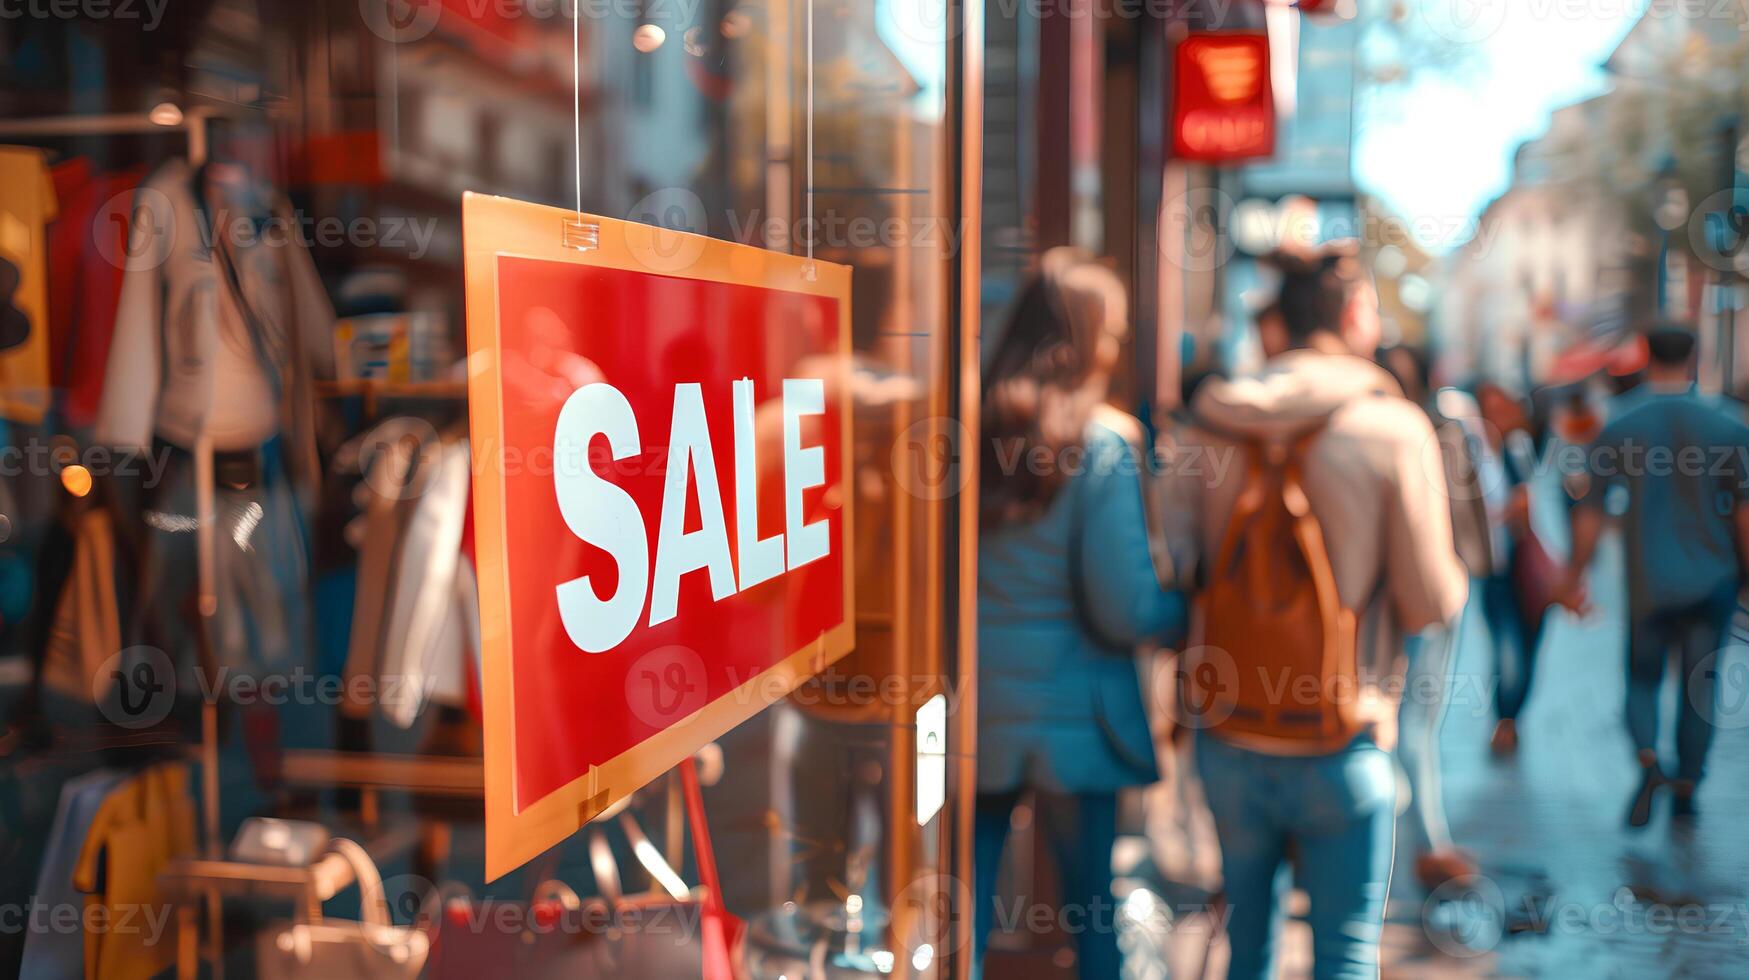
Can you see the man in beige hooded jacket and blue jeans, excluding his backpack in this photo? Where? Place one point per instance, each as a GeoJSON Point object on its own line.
{"type": "Point", "coordinates": [1376, 486]}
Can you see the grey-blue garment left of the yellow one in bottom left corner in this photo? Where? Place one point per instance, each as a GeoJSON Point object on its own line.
{"type": "Point", "coordinates": [55, 955]}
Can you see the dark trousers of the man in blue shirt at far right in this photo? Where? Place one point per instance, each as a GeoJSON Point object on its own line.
{"type": "Point", "coordinates": [1696, 634]}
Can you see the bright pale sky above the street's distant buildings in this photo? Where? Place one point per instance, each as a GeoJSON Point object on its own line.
{"type": "Point", "coordinates": [1444, 148]}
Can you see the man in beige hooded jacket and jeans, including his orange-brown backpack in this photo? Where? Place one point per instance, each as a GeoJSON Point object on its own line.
{"type": "Point", "coordinates": [1330, 515]}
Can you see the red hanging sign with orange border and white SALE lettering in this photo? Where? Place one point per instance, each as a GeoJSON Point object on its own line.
{"type": "Point", "coordinates": [662, 496]}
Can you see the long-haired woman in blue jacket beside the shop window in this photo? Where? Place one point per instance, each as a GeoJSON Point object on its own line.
{"type": "Point", "coordinates": [1066, 592]}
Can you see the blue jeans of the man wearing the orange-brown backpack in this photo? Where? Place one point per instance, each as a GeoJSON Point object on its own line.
{"type": "Point", "coordinates": [1339, 811]}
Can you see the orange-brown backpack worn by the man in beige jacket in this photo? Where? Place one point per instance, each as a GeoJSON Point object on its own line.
{"type": "Point", "coordinates": [1279, 666]}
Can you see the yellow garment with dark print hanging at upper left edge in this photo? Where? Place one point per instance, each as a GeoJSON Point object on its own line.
{"type": "Point", "coordinates": [27, 207]}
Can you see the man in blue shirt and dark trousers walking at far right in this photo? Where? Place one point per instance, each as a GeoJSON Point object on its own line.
{"type": "Point", "coordinates": [1685, 536]}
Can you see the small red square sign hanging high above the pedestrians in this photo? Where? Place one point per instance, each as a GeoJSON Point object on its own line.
{"type": "Point", "coordinates": [1223, 108]}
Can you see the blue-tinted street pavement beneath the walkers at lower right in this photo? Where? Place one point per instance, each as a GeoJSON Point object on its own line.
{"type": "Point", "coordinates": [1566, 888]}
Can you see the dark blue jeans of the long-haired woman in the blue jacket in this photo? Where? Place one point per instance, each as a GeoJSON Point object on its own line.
{"type": "Point", "coordinates": [1082, 832]}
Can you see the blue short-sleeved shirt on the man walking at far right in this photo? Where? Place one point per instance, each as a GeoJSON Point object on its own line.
{"type": "Point", "coordinates": [1683, 459]}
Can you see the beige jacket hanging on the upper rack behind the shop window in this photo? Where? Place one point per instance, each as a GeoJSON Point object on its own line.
{"type": "Point", "coordinates": [223, 323]}
